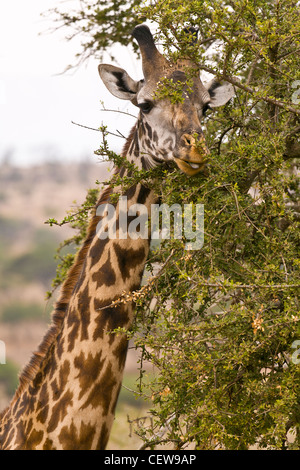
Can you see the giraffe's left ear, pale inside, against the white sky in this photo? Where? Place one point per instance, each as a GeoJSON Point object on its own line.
{"type": "Point", "coordinates": [118, 82]}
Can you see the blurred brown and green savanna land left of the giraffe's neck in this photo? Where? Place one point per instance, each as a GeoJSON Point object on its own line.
{"type": "Point", "coordinates": [28, 197]}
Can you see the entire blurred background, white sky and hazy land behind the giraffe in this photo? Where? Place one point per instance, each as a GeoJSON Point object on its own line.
{"type": "Point", "coordinates": [47, 163]}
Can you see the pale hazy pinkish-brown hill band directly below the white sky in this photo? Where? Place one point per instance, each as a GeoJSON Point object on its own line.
{"type": "Point", "coordinates": [38, 192]}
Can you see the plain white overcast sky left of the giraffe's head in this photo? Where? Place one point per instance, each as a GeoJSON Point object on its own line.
{"type": "Point", "coordinates": [38, 102]}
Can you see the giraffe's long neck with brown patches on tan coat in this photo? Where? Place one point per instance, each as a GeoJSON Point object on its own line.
{"type": "Point", "coordinates": [68, 393]}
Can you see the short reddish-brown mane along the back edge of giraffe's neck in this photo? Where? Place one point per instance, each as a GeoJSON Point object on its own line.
{"type": "Point", "coordinates": [30, 371]}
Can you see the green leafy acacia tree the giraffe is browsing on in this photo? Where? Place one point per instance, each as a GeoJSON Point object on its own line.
{"type": "Point", "coordinates": [221, 324]}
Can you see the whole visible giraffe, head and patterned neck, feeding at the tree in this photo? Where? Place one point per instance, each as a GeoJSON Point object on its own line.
{"type": "Point", "coordinates": [68, 392]}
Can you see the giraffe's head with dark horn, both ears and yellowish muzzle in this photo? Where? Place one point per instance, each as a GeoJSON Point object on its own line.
{"type": "Point", "coordinates": [168, 131]}
